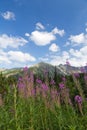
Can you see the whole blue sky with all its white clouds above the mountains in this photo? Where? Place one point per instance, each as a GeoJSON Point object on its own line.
{"type": "Point", "coordinates": [51, 31]}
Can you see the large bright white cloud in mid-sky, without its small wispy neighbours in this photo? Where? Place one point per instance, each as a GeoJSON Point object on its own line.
{"type": "Point", "coordinates": [42, 38]}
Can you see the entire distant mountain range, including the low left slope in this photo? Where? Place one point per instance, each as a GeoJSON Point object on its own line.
{"type": "Point", "coordinates": [43, 67]}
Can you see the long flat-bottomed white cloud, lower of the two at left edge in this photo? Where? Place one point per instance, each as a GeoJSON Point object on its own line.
{"type": "Point", "coordinates": [15, 58]}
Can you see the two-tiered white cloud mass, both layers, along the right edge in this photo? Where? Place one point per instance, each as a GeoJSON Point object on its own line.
{"type": "Point", "coordinates": [76, 57]}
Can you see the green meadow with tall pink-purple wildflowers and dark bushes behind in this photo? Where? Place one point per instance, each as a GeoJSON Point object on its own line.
{"type": "Point", "coordinates": [36, 103]}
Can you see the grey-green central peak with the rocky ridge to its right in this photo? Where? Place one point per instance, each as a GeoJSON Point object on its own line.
{"type": "Point", "coordinates": [60, 69]}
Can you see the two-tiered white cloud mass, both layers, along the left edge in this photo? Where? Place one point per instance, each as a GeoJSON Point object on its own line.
{"type": "Point", "coordinates": [13, 58]}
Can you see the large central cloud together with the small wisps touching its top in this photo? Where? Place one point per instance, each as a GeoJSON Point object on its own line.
{"type": "Point", "coordinates": [42, 37]}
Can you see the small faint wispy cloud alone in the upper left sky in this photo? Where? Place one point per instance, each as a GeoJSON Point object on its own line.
{"type": "Point", "coordinates": [8, 15]}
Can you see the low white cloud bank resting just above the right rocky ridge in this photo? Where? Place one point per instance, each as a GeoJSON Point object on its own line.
{"type": "Point", "coordinates": [74, 56]}
